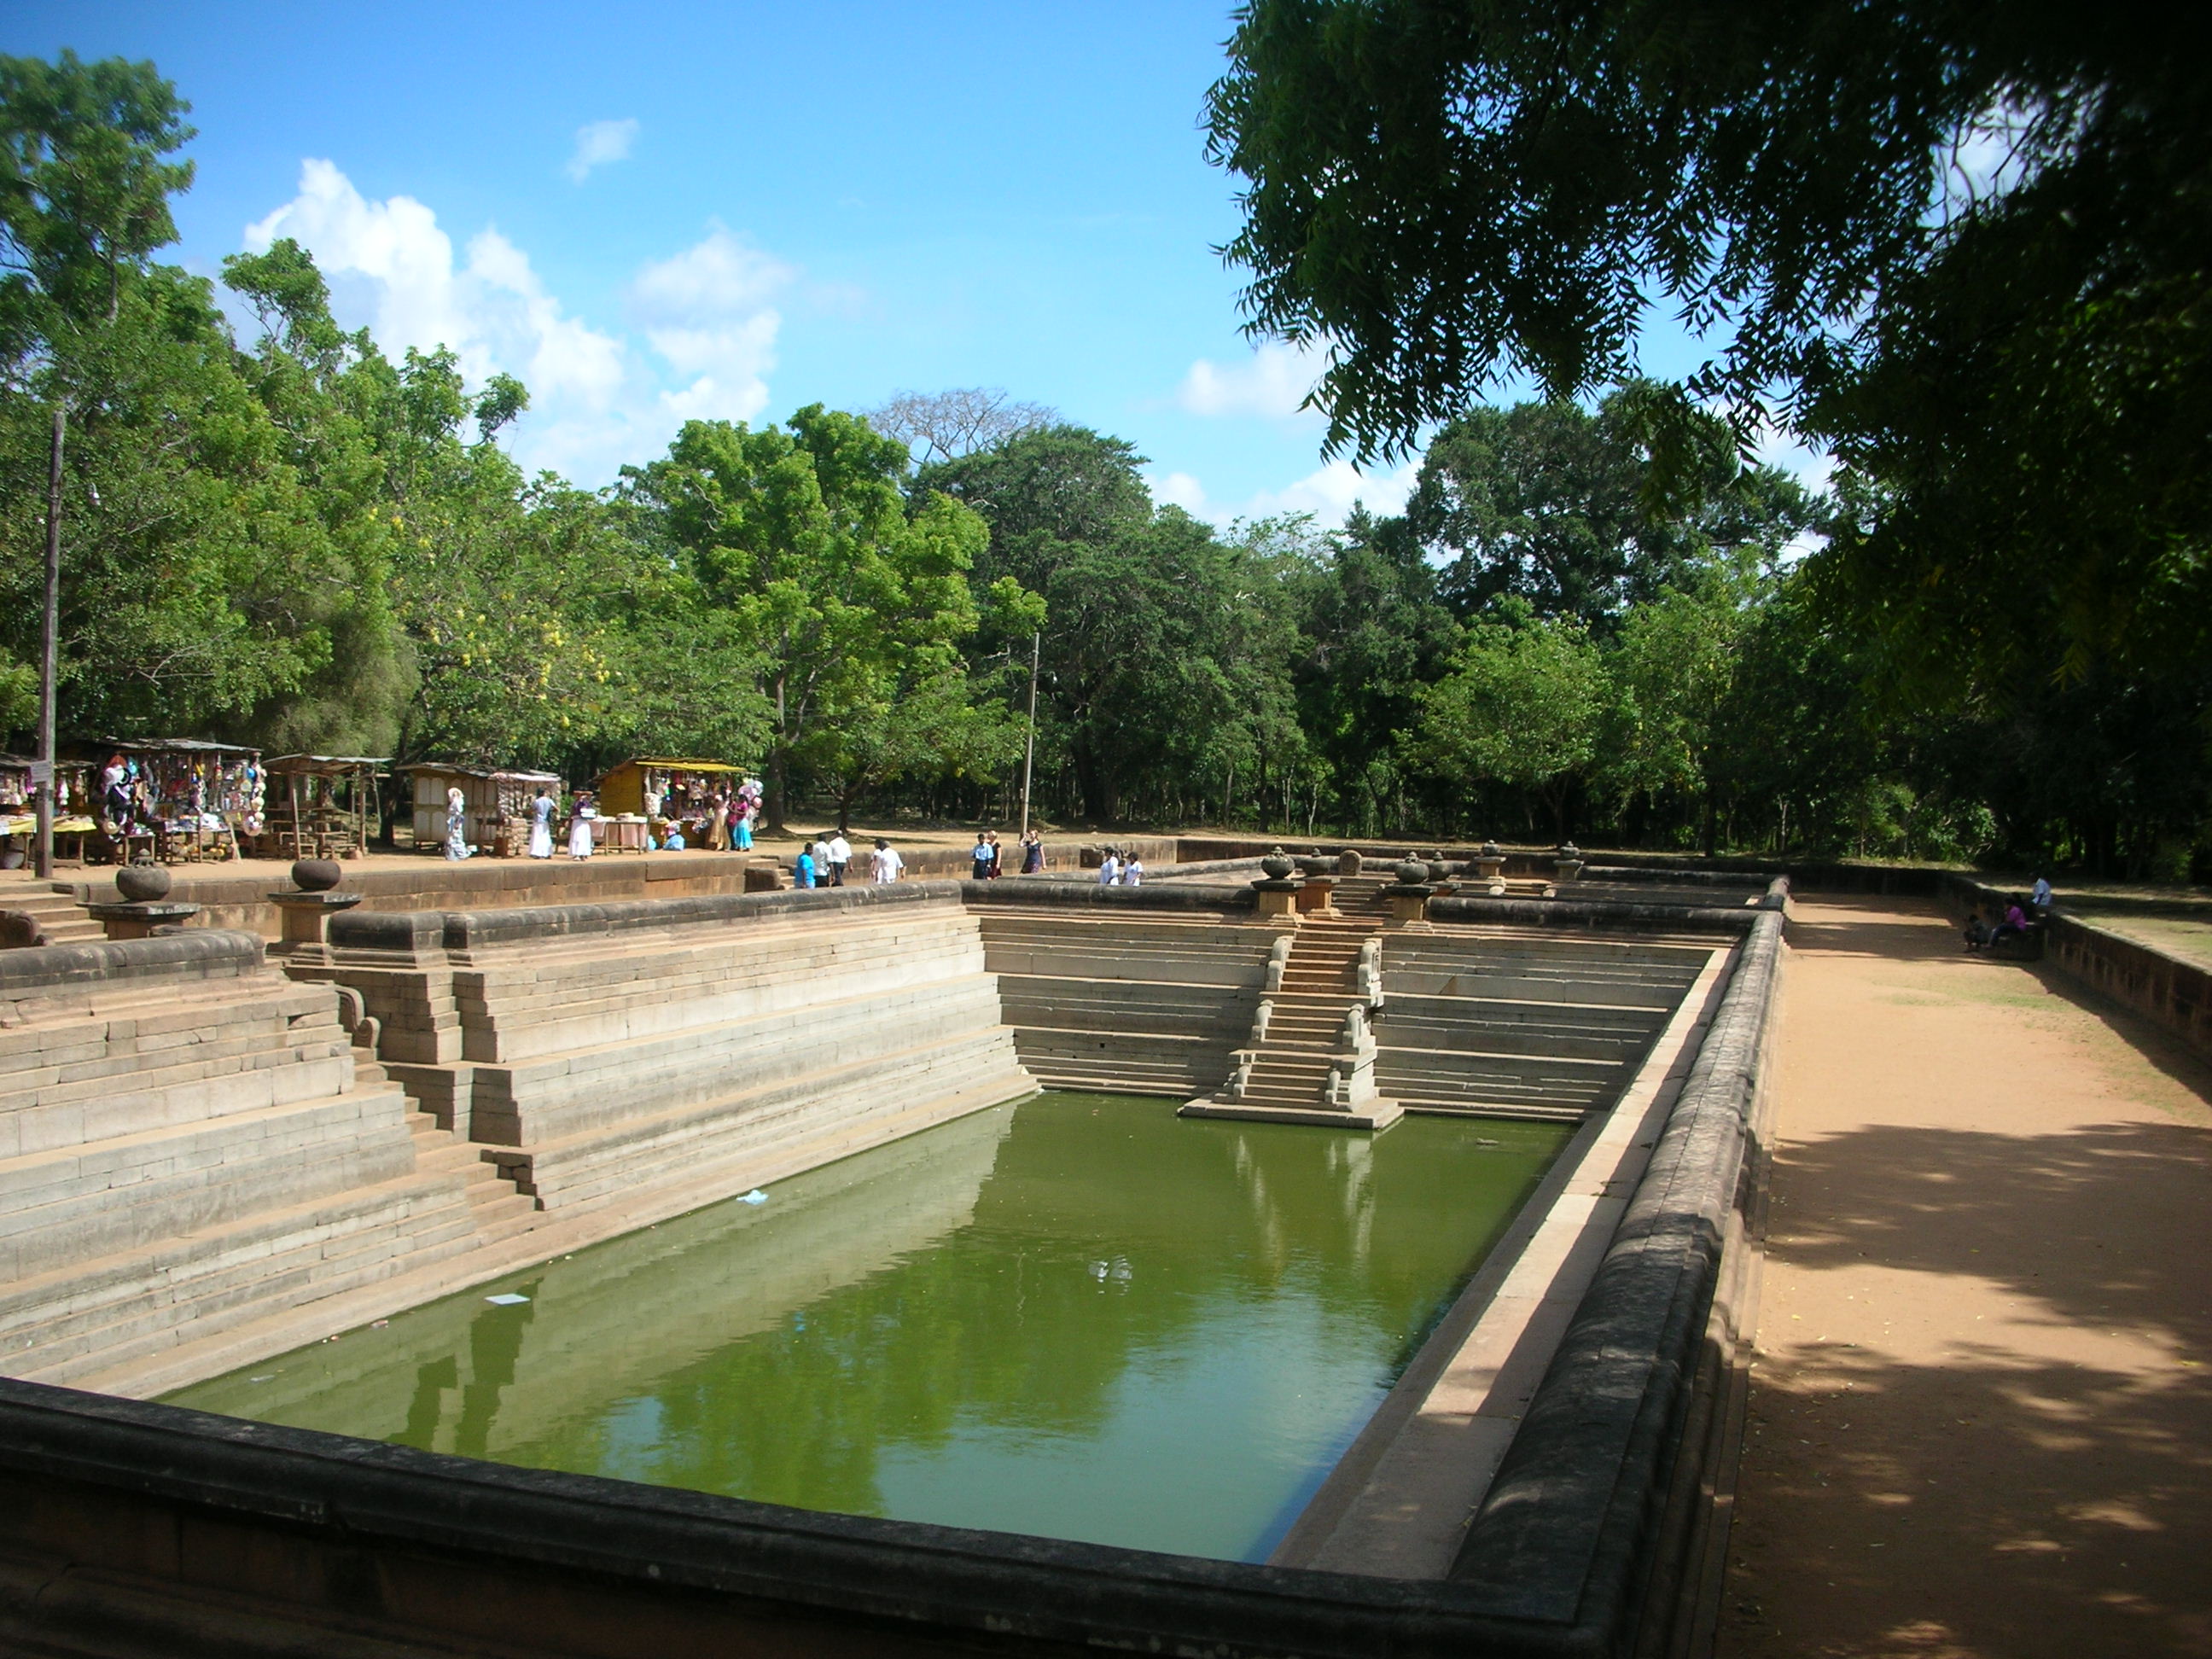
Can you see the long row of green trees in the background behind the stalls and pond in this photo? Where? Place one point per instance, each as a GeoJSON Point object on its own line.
{"type": "Point", "coordinates": [1574, 629]}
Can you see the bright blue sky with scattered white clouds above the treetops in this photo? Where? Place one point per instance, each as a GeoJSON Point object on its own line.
{"type": "Point", "coordinates": [742, 209]}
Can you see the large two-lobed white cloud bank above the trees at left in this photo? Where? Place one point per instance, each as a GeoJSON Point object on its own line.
{"type": "Point", "coordinates": [596, 397]}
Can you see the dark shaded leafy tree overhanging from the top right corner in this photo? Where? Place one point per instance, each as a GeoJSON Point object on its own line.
{"type": "Point", "coordinates": [1965, 244]}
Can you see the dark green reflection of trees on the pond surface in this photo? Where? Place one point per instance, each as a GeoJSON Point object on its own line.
{"type": "Point", "coordinates": [1008, 1326]}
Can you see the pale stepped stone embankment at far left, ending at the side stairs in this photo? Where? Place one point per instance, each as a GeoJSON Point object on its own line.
{"type": "Point", "coordinates": [189, 1142]}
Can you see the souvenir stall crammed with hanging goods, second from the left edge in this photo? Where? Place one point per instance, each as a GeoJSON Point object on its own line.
{"type": "Point", "coordinates": [176, 797]}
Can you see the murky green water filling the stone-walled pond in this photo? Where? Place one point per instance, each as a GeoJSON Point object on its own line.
{"type": "Point", "coordinates": [1078, 1317]}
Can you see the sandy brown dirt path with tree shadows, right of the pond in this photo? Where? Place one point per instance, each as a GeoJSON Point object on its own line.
{"type": "Point", "coordinates": [1981, 1415]}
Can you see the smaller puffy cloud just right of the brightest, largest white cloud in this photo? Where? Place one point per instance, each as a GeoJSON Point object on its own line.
{"type": "Point", "coordinates": [709, 315]}
